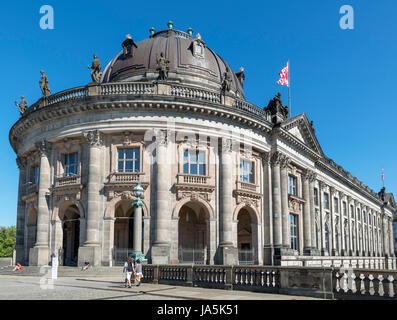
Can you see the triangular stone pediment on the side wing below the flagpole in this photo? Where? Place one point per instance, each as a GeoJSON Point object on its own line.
{"type": "Point", "coordinates": [300, 128]}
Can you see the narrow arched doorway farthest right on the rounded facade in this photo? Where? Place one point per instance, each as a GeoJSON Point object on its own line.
{"type": "Point", "coordinates": [245, 238]}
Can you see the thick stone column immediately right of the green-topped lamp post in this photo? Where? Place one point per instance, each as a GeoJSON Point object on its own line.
{"type": "Point", "coordinates": [161, 245]}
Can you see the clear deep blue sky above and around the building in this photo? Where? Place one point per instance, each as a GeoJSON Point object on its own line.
{"type": "Point", "coordinates": [345, 80]}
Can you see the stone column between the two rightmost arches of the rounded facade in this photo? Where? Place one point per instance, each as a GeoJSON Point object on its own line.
{"type": "Point", "coordinates": [228, 254]}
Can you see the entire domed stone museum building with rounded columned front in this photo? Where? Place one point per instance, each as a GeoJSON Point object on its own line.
{"type": "Point", "coordinates": [222, 181]}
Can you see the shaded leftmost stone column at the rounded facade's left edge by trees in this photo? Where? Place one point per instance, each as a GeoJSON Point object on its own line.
{"type": "Point", "coordinates": [20, 236]}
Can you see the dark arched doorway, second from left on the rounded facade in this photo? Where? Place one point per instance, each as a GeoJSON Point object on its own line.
{"type": "Point", "coordinates": [70, 235]}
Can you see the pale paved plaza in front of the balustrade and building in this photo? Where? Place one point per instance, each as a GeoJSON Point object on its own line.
{"type": "Point", "coordinates": [112, 288]}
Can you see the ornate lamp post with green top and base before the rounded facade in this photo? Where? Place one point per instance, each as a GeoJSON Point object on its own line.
{"type": "Point", "coordinates": [138, 204]}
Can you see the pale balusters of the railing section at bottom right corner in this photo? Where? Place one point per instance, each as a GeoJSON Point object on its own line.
{"type": "Point", "coordinates": [364, 284]}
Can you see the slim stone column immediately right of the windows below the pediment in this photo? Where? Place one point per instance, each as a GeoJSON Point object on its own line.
{"type": "Point", "coordinates": [307, 230]}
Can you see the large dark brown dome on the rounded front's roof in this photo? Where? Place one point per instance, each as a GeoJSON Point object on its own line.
{"type": "Point", "coordinates": [190, 62]}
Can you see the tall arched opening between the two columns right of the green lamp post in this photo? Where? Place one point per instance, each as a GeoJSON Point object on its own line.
{"type": "Point", "coordinates": [192, 233]}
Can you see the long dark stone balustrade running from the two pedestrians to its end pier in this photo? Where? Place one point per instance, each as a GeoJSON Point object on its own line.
{"type": "Point", "coordinates": [316, 282]}
